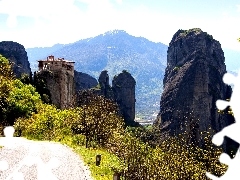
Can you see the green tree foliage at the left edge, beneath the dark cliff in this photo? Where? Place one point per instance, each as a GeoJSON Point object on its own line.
{"type": "Point", "coordinates": [16, 98]}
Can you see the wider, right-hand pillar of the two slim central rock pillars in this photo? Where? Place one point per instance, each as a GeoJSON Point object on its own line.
{"type": "Point", "coordinates": [123, 86]}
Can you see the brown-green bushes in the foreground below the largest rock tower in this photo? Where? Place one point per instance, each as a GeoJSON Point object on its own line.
{"type": "Point", "coordinates": [172, 159]}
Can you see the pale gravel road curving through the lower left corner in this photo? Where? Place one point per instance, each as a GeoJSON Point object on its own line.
{"type": "Point", "coordinates": [23, 159]}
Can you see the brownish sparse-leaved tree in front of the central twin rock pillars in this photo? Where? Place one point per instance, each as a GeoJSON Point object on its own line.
{"type": "Point", "coordinates": [98, 118]}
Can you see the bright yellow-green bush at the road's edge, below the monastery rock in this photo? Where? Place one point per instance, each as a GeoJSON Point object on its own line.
{"type": "Point", "coordinates": [48, 123]}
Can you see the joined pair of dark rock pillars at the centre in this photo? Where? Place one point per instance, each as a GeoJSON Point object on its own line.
{"type": "Point", "coordinates": [122, 92]}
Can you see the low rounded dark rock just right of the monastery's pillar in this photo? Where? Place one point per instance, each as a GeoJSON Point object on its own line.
{"type": "Point", "coordinates": [84, 81]}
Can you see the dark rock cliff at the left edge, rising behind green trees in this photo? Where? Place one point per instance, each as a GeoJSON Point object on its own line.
{"type": "Point", "coordinates": [16, 54]}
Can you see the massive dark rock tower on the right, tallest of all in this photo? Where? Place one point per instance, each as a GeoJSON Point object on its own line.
{"type": "Point", "coordinates": [192, 85]}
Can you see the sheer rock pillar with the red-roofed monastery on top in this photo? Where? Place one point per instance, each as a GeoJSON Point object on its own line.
{"type": "Point", "coordinates": [58, 76]}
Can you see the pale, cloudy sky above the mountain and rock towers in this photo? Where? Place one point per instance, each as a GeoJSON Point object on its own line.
{"type": "Point", "coordinates": [43, 23]}
